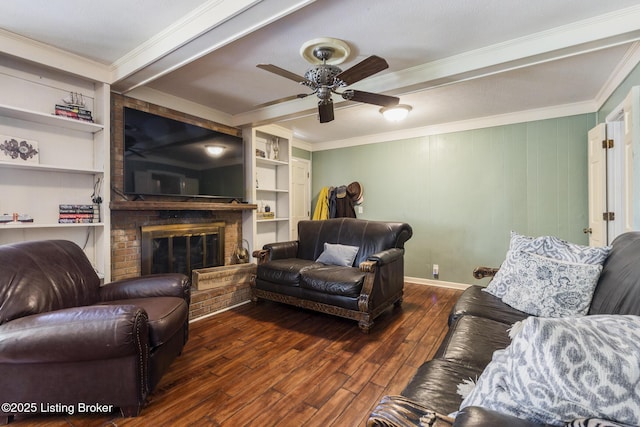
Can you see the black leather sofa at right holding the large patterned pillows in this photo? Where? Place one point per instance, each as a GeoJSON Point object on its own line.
{"type": "Point", "coordinates": [478, 325]}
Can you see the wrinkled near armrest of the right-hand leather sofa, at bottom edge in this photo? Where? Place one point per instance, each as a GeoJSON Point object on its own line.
{"type": "Point", "coordinates": [398, 411]}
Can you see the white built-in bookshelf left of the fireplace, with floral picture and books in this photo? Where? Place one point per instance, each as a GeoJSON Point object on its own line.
{"type": "Point", "coordinates": [72, 163]}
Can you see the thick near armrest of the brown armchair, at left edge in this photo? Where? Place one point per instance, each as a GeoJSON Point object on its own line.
{"type": "Point", "coordinates": [74, 334]}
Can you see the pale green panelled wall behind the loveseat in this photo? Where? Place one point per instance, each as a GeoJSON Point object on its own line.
{"type": "Point", "coordinates": [463, 192]}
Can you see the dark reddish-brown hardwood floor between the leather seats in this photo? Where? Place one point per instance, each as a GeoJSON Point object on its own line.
{"type": "Point", "coordinates": [269, 364]}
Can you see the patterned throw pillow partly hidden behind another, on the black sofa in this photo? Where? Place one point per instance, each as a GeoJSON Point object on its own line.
{"type": "Point", "coordinates": [546, 246]}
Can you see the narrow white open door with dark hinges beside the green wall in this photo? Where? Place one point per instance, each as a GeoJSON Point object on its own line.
{"type": "Point", "coordinates": [597, 186]}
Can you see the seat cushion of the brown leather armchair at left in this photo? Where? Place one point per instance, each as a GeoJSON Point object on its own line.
{"type": "Point", "coordinates": [166, 315]}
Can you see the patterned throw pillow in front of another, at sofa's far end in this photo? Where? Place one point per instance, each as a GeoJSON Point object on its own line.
{"type": "Point", "coordinates": [547, 287]}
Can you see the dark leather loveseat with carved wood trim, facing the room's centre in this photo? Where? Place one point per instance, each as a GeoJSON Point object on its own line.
{"type": "Point", "coordinates": [288, 271]}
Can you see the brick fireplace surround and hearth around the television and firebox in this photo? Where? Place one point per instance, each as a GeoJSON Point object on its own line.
{"type": "Point", "coordinates": [125, 225]}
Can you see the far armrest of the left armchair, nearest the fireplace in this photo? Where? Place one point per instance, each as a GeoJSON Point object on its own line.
{"type": "Point", "coordinates": [154, 285]}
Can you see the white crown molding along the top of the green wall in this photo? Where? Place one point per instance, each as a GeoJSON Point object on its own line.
{"type": "Point", "coordinates": [464, 125]}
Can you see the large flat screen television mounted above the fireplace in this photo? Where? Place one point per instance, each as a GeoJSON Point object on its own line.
{"type": "Point", "coordinates": [166, 157]}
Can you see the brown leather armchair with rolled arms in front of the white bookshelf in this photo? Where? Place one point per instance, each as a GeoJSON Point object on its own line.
{"type": "Point", "coordinates": [66, 340]}
